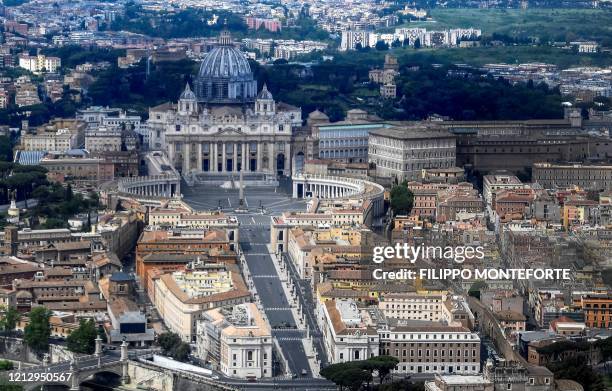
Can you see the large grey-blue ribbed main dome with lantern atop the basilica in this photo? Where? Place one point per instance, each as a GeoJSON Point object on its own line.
{"type": "Point", "coordinates": [225, 75]}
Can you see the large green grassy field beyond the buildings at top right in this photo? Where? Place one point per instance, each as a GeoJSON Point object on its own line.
{"type": "Point", "coordinates": [547, 24]}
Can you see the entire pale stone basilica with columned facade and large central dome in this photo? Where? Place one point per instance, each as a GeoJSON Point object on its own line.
{"type": "Point", "coordinates": [224, 125]}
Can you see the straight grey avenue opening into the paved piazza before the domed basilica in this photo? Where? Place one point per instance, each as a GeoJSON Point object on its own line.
{"type": "Point", "coordinates": [254, 238]}
